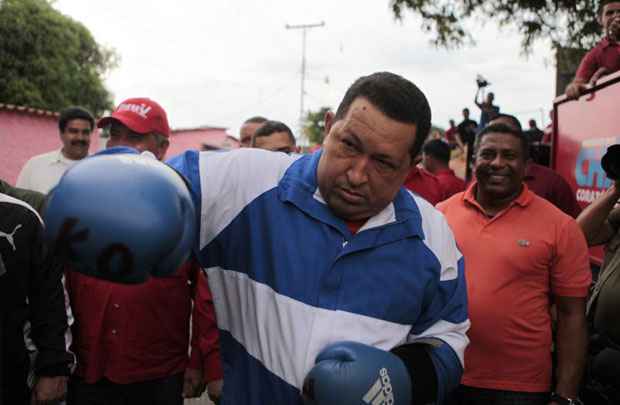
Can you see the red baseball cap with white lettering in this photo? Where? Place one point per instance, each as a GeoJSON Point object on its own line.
{"type": "Point", "coordinates": [141, 115]}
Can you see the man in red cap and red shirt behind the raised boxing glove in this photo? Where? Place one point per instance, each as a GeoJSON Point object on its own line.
{"type": "Point", "coordinates": [131, 340]}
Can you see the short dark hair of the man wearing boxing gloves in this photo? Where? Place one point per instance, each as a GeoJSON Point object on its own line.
{"type": "Point", "coordinates": [394, 96]}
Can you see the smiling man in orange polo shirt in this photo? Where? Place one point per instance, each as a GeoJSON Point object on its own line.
{"type": "Point", "coordinates": [521, 253]}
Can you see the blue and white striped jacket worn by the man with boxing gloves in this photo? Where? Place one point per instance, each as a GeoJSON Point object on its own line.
{"type": "Point", "coordinates": [289, 278]}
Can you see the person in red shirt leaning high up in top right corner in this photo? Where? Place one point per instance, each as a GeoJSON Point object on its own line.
{"type": "Point", "coordinates": [604, 58]}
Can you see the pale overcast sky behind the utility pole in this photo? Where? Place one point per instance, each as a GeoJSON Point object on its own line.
{"type": "Point", "coordinates": [220, 62]}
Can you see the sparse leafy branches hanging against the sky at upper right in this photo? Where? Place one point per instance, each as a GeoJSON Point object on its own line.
{"type": "Point", "coordinates": [567, 23]}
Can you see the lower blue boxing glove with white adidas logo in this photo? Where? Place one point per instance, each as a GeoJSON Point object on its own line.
{"type": "Point", "coordinates": [350, 373]}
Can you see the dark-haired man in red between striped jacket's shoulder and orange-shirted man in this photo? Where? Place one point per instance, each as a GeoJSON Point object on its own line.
{"type": "Point", "coordinates": [436, 159]}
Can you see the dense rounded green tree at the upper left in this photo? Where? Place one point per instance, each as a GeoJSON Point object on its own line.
{"type": "Point", "coordinates": [49, 60]}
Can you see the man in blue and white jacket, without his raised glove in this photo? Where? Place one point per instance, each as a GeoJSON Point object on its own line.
{"type": "Point", "coordinates": [332, 283]}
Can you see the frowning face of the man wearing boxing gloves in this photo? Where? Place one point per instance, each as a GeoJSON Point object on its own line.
{"type": "Point", "coordinates": [365, 160]}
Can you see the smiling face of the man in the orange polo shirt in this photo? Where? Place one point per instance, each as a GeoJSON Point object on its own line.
{"type": "Point", "coordinates": [500, 165]}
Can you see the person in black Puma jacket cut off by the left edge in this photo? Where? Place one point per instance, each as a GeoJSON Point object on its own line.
{"type": "Point", "coordinates": [31, 299]}
